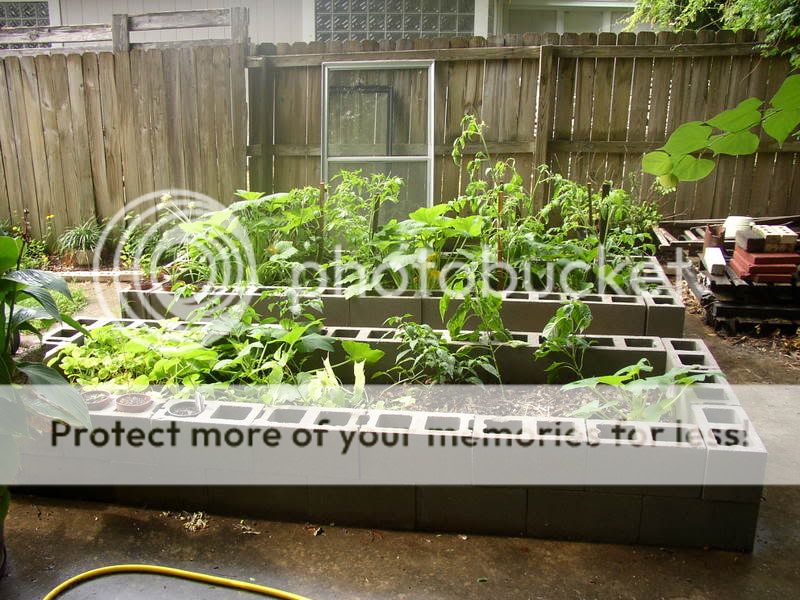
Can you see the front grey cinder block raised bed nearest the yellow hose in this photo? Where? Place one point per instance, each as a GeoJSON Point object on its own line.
{"type": "Point", "coordinates": [555, 477]}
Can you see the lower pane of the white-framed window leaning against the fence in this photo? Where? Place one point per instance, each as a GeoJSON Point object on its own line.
{"type": "Point", "coordinates": [413, 194]}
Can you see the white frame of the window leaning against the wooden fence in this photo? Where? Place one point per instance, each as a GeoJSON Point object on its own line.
{"type": "Point", "coordinates": [373, 65]}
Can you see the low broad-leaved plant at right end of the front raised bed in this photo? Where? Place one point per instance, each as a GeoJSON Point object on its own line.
{"type": "Point", "coordinates": [630, 396]}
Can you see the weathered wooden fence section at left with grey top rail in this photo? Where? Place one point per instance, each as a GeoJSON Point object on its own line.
{"type": "Point", "coordinates": [85, 131]}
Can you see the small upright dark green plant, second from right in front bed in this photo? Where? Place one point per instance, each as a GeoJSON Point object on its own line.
{"type": "Point", "coordinates": [562, 340]}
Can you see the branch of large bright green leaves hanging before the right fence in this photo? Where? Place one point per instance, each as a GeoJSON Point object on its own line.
{"type": "Point", "coordinates": [689, 151]}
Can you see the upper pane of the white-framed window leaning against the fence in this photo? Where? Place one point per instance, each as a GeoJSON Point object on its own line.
{"type": "Point", "coordinates": [378, 113]}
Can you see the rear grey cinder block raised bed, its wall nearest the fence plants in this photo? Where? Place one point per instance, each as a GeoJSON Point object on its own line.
{"type": "Point", "coordinates": [656, 312]}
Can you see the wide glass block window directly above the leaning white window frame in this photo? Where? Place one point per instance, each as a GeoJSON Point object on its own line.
{"type": "Point", "coordinates": [343, 20]}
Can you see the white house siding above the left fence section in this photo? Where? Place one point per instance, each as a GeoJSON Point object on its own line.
{"type": "Point", "coordinates": [270, 20]}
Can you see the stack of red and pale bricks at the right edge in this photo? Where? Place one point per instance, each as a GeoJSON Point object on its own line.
{"type": "Point", "coordinates": [766, 254]}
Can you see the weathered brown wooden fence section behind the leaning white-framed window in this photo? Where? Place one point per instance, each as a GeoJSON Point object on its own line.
{"type": "Point", "coordinates": [587, 105]}
